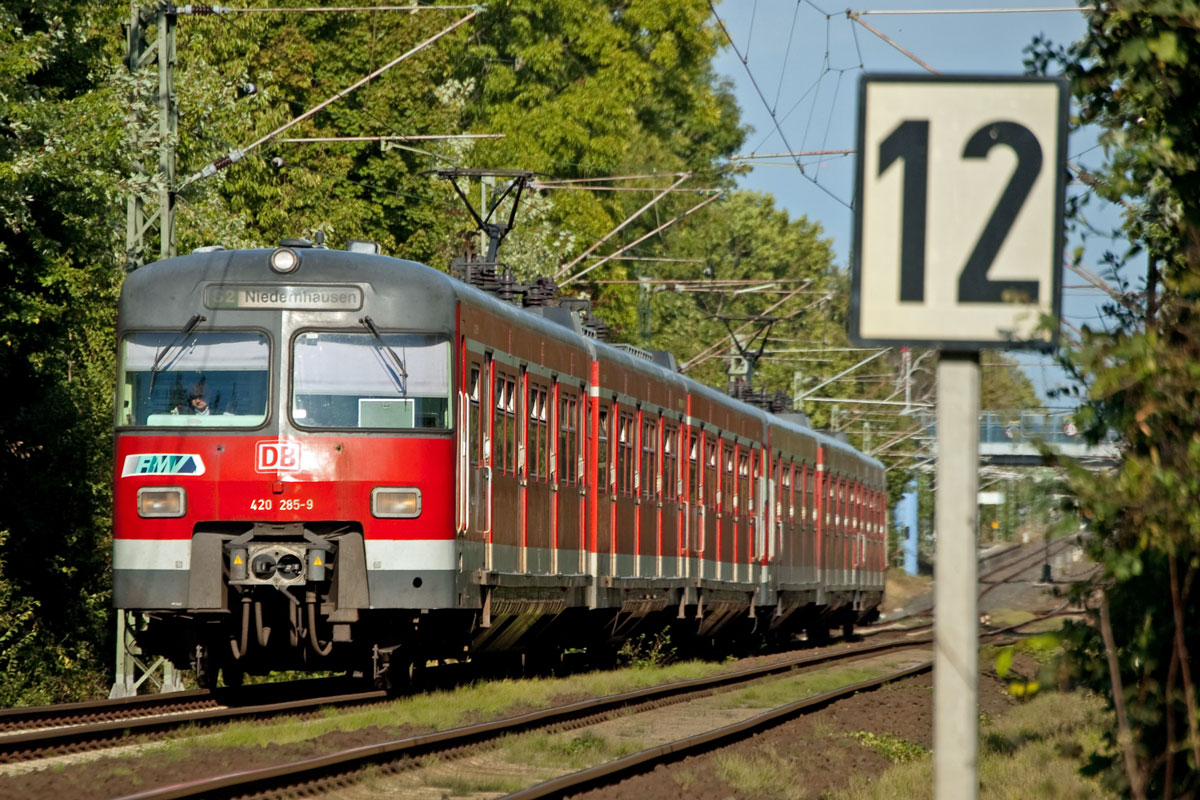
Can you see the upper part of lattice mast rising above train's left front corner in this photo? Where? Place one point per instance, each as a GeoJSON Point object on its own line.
{"type": "Point", "coordinates": [153, 128]}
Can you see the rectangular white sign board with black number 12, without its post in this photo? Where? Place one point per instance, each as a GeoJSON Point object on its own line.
{"type": "Point", "coordinates": [958, 238]}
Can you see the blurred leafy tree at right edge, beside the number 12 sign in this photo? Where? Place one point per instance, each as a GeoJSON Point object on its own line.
{"type": "Point", "coordinates": [1136, 76]}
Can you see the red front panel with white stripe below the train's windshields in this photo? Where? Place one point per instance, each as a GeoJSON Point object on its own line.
{"type": "Point", "coordinates": [229, 480]}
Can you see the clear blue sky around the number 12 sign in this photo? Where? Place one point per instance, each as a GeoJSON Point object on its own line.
{"type": "Point", "coordinates": [807, 57]}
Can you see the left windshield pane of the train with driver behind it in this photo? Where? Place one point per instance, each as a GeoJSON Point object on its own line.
{"type": "Point", "coordinates": [194, 380]}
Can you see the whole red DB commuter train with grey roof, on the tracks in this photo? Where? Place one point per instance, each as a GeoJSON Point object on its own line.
{"type": "Point", "coordinates": [337, 460]}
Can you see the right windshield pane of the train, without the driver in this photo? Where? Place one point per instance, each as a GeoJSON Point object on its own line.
{"type": "Point", "coordinates": [361, 381]}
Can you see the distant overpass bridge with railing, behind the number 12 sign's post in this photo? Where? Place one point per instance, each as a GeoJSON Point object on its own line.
{"type": "Point", "coordinates": [1007, 440]}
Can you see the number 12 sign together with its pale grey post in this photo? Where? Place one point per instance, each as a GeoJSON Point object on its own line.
{"type": "Point", "coordinates": [958, 244]}
